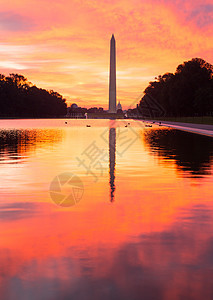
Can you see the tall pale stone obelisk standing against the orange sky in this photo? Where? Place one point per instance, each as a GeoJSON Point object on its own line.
{"type": "Point", "coordinates": [112, 77]}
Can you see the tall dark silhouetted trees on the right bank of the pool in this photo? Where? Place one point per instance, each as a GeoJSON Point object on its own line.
{"type": "Point", "coordinates": [187, 92]}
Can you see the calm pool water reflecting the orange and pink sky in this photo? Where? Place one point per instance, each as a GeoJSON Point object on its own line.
{"type": "Point", "coordinates": [142, 230]}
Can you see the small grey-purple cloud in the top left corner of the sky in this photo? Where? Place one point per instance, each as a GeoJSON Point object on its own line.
{"type": "Point", "coordinates": [10, 21]}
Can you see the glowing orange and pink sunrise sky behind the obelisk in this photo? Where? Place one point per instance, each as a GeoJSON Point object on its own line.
{"type": "Point", "coordinates": [64, 45]}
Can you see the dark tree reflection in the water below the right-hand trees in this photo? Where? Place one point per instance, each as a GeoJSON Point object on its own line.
{"type": "Point", "coordinates": [192, 153]}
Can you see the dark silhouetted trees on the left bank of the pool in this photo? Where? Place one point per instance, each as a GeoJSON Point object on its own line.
{"type": "Point", "coordinates": [19, 98]}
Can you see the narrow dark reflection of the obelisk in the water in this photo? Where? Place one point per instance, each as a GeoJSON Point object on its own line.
{"type": "Point", "coordinates": [112, 159]}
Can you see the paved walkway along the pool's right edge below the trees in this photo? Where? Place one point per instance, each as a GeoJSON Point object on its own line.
{"type": "Point", "coordinates": [203, 129]}
